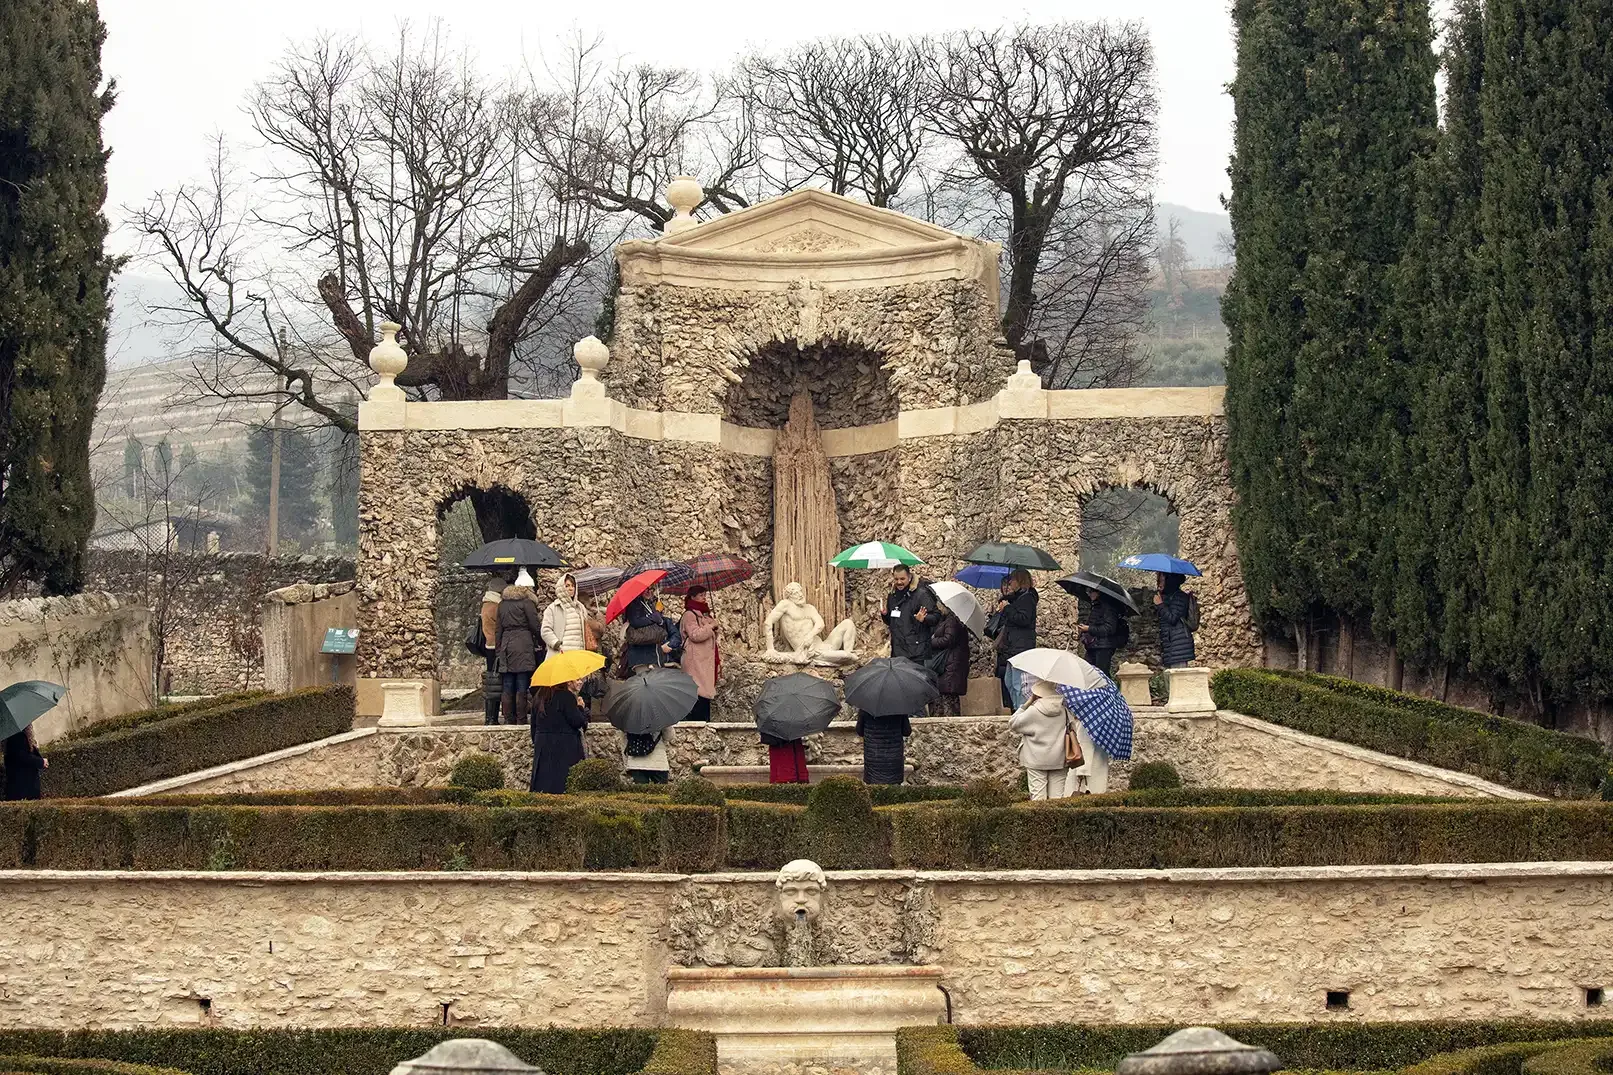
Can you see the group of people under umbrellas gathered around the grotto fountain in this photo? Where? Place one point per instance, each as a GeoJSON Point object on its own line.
{"type": "Point", "coordinates": [515, 637]}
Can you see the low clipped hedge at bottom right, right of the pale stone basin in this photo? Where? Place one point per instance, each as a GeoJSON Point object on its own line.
{"type": "Point", "coordinates": [1422, 1048]}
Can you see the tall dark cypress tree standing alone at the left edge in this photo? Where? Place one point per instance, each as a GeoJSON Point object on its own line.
{"type": "Point", "coordinates": [54, 278]}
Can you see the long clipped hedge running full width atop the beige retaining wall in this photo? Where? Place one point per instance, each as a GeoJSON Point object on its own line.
{"type": "Point", "coordinates": [619, 834]}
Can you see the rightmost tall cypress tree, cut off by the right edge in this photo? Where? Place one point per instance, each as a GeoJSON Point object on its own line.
{"type": "Point", "coordinates": [1544, 475]}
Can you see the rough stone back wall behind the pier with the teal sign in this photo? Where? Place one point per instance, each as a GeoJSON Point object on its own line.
{"type": "Point", "coordinates": [215, 637]}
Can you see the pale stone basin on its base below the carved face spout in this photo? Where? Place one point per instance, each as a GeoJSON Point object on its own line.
{"type": "Point", "coordinates": [822, 1016]}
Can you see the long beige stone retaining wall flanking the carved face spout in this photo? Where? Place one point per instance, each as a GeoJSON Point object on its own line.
{"type": "Point", "coordinates": [396, 950]}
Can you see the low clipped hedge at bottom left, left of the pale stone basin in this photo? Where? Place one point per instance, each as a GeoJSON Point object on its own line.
{"type": "Point", "coordinates": [370, 1052]}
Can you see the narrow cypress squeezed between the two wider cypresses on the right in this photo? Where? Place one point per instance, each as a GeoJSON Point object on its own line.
{"type": "Point", "coordinates": [1443, 330]}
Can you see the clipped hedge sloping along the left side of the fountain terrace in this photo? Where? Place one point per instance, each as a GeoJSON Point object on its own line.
{"type": "Point", "coordinates": [194, 740]}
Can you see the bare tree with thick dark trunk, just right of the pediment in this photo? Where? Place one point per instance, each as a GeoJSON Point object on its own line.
{"type": "Point", "coordinates": [1049, 115]}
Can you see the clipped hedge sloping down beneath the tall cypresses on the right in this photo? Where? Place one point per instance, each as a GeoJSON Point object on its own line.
{"type": "Point", "coordinates": [1506, 751]}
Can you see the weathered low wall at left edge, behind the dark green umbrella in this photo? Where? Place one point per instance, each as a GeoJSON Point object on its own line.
{"type": "Point", "coordinates": [94, 645]}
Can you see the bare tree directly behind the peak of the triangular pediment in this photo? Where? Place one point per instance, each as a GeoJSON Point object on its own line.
{"type": "Point", "coordinates": [846, 112]}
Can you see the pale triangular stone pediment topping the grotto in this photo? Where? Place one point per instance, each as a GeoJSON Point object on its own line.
{"type": "Point", "coordinates": [809, 224]}
